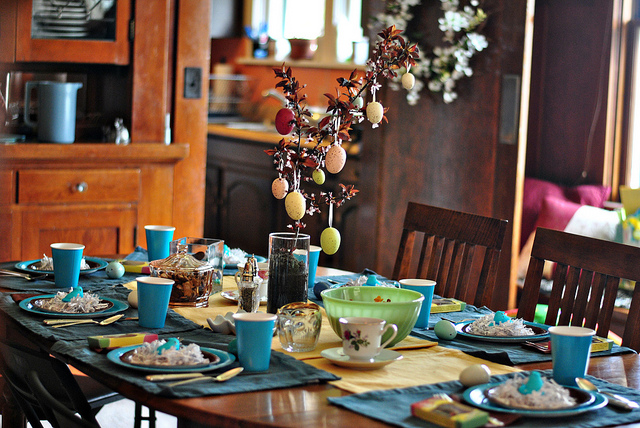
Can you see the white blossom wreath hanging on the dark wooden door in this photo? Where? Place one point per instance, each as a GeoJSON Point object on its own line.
{"type": "Point", "coordinates": [445, 65]}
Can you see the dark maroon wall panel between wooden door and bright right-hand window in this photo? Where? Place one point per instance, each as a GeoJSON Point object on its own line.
{"type": "Point", "coordinates": [570, 72]}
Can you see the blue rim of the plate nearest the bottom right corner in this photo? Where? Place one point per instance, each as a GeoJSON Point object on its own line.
{"type": "Point", "coordinates": [476, 396]}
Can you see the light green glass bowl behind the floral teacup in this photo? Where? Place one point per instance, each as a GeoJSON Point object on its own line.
{"type": "Point", "coordinates": [402, 309]}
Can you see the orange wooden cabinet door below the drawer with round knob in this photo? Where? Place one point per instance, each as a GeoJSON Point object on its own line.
{"type": "Point", "coordinates": [103, 229]}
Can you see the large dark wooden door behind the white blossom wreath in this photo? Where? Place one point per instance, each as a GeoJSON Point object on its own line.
{"type": "Point", "coordinates": [446, 155]}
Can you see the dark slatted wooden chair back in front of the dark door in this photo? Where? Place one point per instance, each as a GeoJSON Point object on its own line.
{"type": "Point", "coordinates": [460, 251]}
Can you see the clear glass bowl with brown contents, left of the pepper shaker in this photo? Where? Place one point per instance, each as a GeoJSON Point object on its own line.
{"type": "Point", "coordinates": [194, 279]}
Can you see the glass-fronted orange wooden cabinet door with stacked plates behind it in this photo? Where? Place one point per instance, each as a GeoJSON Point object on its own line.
{"type": "Point", "coordinates": [68, 36]}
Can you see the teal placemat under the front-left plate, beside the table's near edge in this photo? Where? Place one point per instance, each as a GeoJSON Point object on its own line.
{"type": "Point", "coordinates": [284, 370]}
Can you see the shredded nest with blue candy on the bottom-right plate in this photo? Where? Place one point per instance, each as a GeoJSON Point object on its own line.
{"type": "Point", "coordinates": [532, 392]}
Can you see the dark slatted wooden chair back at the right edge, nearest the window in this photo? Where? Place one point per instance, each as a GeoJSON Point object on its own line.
{"type": "Point", "coordinates": [585, 279]}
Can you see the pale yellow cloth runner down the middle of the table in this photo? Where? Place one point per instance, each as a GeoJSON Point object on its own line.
{"type": "Point", "coordinates": [423, 361]}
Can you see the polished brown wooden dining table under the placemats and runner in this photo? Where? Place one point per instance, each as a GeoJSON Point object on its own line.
{"type": "Point", "coordinates": [295, 406]}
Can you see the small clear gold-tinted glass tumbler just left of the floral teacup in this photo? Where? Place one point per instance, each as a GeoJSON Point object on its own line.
{"type": "Point", "coordinates": [299, 326]}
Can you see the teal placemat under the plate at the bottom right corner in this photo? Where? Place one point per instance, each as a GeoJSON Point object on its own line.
{"type": "Point", "coordinates": [394, 406]}
